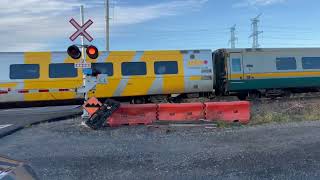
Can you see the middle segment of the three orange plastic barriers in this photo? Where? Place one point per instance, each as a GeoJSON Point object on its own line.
{"type": "Point", "coordinates": [181, 112]}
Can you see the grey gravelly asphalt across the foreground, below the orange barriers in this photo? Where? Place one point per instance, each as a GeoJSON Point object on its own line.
{"type": "Point", "coordinates": [66, 150]}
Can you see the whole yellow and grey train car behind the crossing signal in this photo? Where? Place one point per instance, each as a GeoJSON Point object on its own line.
{"type": "Point", "coordinates": [49, 76]}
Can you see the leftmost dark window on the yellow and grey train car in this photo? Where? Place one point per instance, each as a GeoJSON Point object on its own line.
{"type": "Point", "coordinates": [24, 71]}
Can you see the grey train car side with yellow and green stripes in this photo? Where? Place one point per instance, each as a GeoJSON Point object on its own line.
{"type": "Point", "coordinates": [272, 69]}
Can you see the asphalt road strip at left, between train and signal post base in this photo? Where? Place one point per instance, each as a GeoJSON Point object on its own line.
{"type": "Point", "coordinates": [15, 119]}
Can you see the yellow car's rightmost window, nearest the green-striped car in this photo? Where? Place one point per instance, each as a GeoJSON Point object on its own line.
{"type": "Point", "coordinates": [166, 67]}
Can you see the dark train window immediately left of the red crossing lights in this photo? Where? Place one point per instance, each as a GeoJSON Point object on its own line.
{"type": "Point", "coordinates": [62, 70]}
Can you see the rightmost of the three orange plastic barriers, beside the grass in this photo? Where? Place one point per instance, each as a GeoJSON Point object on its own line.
{"type": "Point", "coordinates": [228, 111]}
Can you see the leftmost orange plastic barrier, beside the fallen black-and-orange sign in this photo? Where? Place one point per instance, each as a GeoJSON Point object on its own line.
{"type": "Point", "coordinates": [129, 114]}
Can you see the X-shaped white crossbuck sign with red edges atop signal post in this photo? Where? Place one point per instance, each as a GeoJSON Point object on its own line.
{"type": "Point", "coordinates": [81, 30]}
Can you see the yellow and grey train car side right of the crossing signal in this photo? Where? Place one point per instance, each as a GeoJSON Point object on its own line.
{"type": "Point", "coordinates": [194, 74]}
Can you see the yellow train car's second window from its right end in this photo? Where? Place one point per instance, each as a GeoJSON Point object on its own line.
{"type": "Point", "coordinates": [133, 68]}
